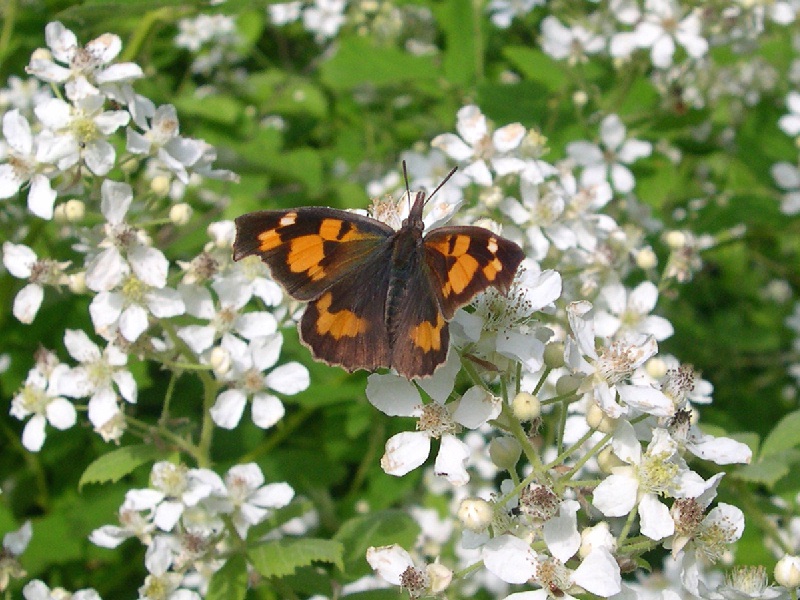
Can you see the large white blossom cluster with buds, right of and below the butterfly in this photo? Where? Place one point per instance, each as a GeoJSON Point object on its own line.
{"type": "Point", "coordinates": [572, 351]}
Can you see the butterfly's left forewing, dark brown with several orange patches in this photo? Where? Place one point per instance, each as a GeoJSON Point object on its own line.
{"type": "Point", "coordinates": [309, 249]}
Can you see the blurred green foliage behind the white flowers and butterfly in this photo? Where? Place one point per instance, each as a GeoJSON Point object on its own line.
{"type": "Point", "coordinates": [349, 113]}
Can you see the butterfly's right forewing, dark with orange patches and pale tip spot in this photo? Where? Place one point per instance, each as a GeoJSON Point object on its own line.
{"type": "Point", "coordinates": [464, 261]}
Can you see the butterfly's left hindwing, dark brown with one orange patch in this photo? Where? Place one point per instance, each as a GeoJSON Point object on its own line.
{"type": "Point", "coordinates": [346, 325]}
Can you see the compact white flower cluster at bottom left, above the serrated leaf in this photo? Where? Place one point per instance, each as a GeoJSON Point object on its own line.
{"type": "Point", "coordinates": [181, 519]}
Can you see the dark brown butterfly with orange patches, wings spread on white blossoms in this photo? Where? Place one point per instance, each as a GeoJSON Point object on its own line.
{"type": "Point", "coordinates": [376, 297]}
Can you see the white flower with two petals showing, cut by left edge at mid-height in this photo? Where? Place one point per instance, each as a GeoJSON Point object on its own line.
{"type": "Point", "coordinates": [22, 262]}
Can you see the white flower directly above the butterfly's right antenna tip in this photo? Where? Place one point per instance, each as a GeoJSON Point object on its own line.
{"type": "Point", "coordinates": [475, 145]}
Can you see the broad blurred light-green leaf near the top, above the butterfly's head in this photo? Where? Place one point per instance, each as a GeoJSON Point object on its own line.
{"type": "Point", "coordinates": [358, 62]}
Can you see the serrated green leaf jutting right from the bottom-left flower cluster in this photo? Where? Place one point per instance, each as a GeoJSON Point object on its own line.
{"type": "Point", "coordinates": [279, 558]}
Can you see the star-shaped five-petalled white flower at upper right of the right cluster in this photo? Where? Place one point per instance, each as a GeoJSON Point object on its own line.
{"type": "Point", "coordinates": [608, 163]}
